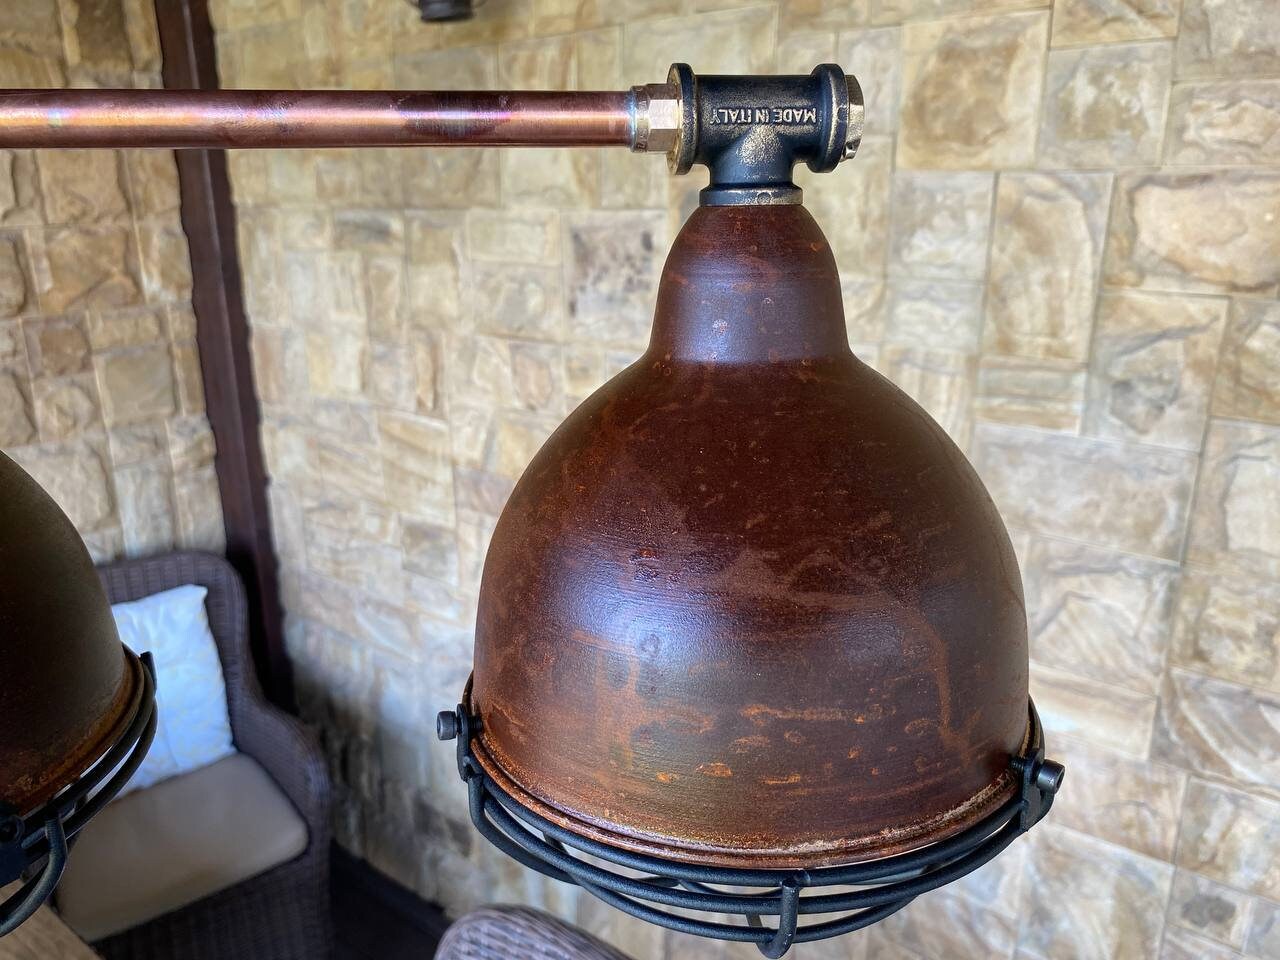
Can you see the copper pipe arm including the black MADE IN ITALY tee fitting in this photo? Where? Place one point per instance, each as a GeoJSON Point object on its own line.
{"type": "Point", "coordinates": [749, 132]}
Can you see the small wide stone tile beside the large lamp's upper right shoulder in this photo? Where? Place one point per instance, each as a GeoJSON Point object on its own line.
{"type": "Point", "coordinates": [1044, 394]}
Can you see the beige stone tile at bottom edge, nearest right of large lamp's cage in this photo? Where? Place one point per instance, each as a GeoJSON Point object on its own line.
{"type": "Point", "coordinates": [1091, 900]}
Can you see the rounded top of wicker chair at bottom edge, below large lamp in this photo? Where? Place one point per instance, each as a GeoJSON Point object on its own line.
{"type": "Point", "coordinates": [511, 932]}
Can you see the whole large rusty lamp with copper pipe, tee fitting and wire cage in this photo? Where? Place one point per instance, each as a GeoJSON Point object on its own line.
{"type": "Point", "coordinates": [752, 638]}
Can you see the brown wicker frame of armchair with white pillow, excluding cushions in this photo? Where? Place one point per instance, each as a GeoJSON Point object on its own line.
{"type": "Point", "coordinates": [282, 915]}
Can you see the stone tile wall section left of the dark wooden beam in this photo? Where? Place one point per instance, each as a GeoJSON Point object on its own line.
{"type": "Point", "coordinates": [100, 391]}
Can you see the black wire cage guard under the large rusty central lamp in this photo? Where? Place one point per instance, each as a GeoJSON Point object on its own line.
{"type": "Point", "coordinates": [886, 885]}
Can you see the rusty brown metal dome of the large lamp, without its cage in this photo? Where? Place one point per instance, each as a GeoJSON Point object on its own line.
{"type": "Point", "coordinates": [751, 606]}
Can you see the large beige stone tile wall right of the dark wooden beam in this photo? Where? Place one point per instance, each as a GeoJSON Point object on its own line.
{"type": "Point", "coordinates": [1062, 235]}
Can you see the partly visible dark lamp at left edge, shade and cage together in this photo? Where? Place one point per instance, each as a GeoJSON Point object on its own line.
{"type": "Point", "coordinates": [77, 708]}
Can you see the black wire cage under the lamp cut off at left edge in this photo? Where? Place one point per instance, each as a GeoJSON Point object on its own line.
{"type": "Point", "coordinates": [36, 845]}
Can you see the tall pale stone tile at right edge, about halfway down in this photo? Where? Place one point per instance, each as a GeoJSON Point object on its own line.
{"type": "Point", "coordinates": [1235, 520]}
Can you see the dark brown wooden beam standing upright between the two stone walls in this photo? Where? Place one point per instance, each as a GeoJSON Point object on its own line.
{"type": "Point", "coordinates": [223, 340]}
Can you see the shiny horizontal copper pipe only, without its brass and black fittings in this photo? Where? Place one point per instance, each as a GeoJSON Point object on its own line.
{"type": "Point", "coordinates": [244, 118]}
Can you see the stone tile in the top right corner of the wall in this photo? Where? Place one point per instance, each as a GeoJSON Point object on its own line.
{"type": "Point", "coordinates": [1228, 39]}
